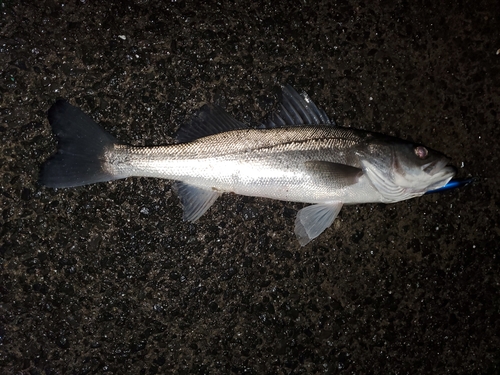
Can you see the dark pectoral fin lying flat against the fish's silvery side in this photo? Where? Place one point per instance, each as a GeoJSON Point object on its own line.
{"type": "Point", "coordinates": [335, 174]}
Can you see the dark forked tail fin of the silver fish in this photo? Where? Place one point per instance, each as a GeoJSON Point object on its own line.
{"type": "Point", "coordinates": [80, 159]}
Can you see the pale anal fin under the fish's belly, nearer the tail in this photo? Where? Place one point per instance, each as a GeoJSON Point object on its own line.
{"type": "Point", "coordinates": [195, 201]}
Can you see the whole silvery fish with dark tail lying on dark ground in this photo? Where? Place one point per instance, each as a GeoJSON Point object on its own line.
{"type": "Point", "coordinates": [297, 154]}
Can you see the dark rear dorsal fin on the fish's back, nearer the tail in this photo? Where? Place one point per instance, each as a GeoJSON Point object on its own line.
{"type": "Point", "coordinates": [209, 120]}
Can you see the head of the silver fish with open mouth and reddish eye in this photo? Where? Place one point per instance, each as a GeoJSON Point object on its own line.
{"type": "Point", "coordinates": [402, 170]}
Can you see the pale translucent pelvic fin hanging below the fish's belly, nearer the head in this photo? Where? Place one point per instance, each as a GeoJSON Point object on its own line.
{"type": "Point", "coordinates": [312, 220]}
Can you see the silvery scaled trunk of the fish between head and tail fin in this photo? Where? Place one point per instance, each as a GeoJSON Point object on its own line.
{"type": "Point", "coordinates": [292, 164]}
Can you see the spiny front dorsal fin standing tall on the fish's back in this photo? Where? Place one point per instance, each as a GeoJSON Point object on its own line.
{"type": "Point", "coordinates": [294, 110]}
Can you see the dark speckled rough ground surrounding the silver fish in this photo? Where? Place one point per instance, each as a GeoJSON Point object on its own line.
{"type": "Point", "coordinates": [107, 278]}
